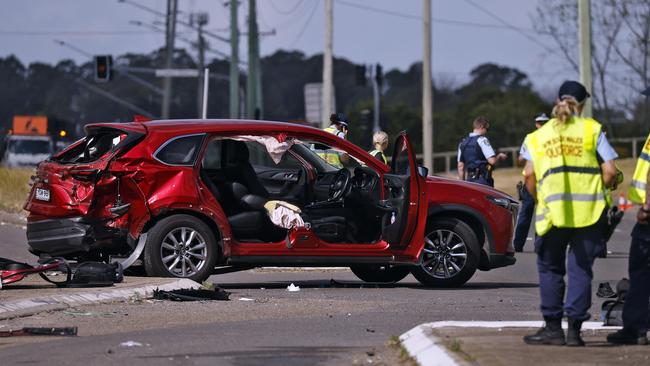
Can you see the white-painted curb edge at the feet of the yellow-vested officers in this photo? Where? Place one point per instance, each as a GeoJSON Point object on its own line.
{"type": "Point", "coordinates": [428, 349]}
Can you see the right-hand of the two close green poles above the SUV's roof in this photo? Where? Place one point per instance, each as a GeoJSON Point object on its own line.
{"type": "Point", "coordinates": [252, 82]}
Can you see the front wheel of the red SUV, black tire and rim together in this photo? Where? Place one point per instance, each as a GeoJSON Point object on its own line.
{"type": "Point", "coordinates": [450, 255]}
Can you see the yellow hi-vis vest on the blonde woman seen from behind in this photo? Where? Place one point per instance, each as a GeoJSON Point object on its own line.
{"type": "Point", "coordinates": [570, 189]}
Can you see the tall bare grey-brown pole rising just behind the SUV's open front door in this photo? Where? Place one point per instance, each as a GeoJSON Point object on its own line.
{"type": "Point", "coordinates": [427, 97]}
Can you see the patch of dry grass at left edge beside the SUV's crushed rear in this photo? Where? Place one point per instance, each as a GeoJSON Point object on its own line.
{"type": "Point", "coordinates": [14, 188]}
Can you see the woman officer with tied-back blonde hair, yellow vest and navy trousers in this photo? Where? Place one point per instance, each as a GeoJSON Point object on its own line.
{"type": "Point", "coordinates": [563, 173]}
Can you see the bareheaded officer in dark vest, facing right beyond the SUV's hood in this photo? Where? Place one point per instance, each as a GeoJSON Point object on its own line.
{"type": "Point", "coordinates": [476, 156]}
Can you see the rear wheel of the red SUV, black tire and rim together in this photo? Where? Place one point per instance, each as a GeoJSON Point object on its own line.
{"type": "Point", "coordinates": [181, 246]}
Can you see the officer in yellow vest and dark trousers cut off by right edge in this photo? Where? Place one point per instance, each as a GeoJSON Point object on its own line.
{"type": "Point", "coordinates": [635, 309]}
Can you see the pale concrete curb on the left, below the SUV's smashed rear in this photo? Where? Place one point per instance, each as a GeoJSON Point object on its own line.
{"type": "Point", "coordinates": [35, 305]}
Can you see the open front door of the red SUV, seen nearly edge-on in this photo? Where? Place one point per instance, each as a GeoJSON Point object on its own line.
{"type": "Point", "coordinates": [402, 190]}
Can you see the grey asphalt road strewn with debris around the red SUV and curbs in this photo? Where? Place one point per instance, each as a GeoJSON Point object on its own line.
{"type": "Point", "coordinates": [325, 323]}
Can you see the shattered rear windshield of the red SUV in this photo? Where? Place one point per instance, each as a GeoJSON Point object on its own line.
{"type": "Point", "coordinates": [96, 145]}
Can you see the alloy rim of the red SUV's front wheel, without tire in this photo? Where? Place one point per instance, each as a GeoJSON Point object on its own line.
{"type": "Point", "coordinates": [444, 254]}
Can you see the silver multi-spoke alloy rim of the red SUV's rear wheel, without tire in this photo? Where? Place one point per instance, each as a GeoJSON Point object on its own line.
{"type": "Point", "coordinates": [183, 251]}
